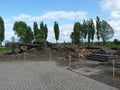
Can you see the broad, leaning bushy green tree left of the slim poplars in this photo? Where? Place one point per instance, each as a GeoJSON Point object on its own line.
{"type": "Point", "coordinates": [22, 31]}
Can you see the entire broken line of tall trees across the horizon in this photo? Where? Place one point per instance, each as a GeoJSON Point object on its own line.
{"type": "Point", "coordinates": [86, 31]}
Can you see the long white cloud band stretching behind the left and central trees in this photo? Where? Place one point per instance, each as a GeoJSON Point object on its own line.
{"type": "Point", "coordinates": [65, 30]}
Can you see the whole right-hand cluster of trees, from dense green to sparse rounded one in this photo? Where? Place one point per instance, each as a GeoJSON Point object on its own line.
{"type": "Point", "coordinates": [87, 31]}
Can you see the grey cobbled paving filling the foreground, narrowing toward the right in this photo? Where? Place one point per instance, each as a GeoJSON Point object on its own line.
{"type": "Point", "coordinates": [43, 75]}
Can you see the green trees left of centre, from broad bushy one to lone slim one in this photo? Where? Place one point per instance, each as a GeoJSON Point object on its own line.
{"type": "Point", "coordinates": [26, 35]}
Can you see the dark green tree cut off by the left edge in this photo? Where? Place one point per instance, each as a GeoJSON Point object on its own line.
{"type": "Point", "coordinates": [2, 30]}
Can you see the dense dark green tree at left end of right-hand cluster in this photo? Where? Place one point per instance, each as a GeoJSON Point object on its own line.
{"type": "Point", "coordinates": [76, 35]}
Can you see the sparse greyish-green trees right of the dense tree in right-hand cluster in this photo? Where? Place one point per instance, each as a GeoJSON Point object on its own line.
{"type": "Point", "coordinates": [103, 30]}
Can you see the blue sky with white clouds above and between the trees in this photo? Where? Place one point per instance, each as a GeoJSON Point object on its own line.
{"type": "Point", "coordinates": [66, 12]}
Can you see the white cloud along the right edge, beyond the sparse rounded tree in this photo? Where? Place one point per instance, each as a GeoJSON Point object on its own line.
{"type": "Point", "coordinates": [113, 8]}
